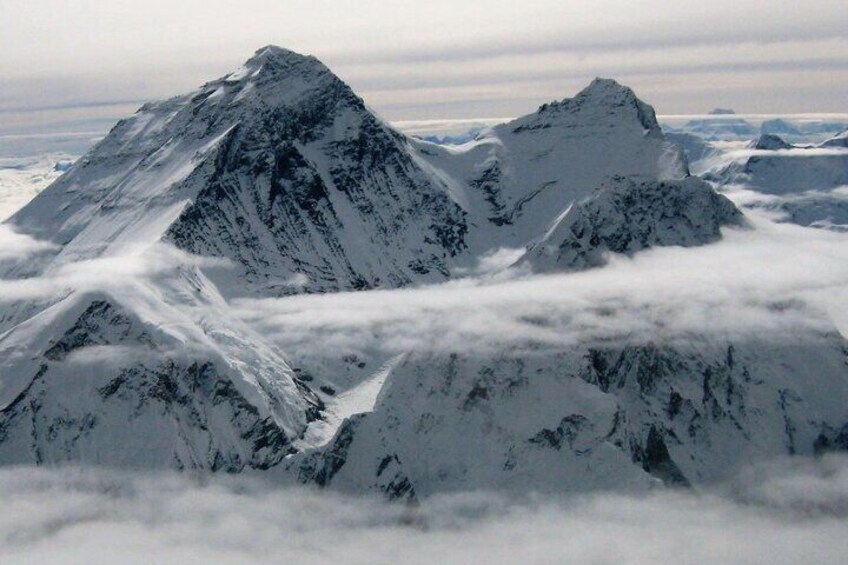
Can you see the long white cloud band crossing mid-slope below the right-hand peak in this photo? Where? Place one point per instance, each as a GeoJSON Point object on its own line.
{"type": "Point", "coordinates": [776, 280]}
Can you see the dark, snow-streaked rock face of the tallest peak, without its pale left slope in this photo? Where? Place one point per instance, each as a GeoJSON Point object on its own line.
{"type": "Point", "coordinates": [314, 187]}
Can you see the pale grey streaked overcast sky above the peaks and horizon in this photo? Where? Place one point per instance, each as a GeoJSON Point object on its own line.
{"type": "Point", "coordinates": [434, 58]}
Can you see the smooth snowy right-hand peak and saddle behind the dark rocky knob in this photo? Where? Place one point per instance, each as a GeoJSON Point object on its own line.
{"type": "Point", "coordinates": [514, 178]}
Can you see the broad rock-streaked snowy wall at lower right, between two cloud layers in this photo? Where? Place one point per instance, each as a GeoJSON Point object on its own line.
{"type": "Point", "coordinates": [589, 417]}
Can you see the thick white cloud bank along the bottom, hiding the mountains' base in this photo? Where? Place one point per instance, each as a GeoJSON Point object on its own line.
{"type": "Point", "coordinates": [785, 512]}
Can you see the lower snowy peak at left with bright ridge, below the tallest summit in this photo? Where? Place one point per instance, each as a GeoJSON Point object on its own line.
{"type": "Point", "coordinates": [147, 378]}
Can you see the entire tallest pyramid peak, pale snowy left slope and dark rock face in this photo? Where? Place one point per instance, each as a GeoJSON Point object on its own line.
{"type": "Point", "coordinates": [278, 167]}
